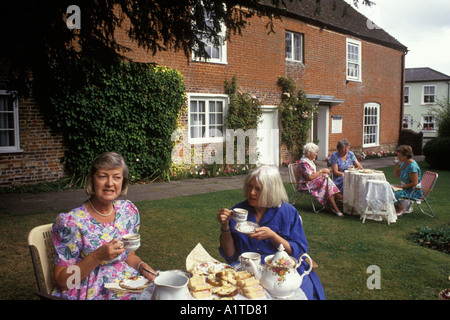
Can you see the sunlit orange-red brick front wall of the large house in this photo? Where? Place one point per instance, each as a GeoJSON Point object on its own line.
{"type": "Point", "coordinates": [257, 59]}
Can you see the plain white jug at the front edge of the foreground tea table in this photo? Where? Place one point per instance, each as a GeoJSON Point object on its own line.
{"type": "Point", "coordinates": [171, 286]}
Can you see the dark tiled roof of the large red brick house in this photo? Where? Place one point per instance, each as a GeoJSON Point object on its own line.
{"type": "Point", "coordinates": [339, 16]}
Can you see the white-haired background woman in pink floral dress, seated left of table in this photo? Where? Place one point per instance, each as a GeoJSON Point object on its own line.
{"type": "Point", "coordinates": [320, 184]}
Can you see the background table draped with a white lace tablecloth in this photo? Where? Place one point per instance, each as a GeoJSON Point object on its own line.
{"type": "Point", "coordinates": [358, 195]}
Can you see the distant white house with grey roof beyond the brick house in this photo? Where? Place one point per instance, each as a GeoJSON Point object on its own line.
{"type": "Point", "coordinates": [424, 88]}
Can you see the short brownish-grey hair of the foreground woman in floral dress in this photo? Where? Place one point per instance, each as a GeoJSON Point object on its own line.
{"type": "Point", "coordinates": [107, 160]}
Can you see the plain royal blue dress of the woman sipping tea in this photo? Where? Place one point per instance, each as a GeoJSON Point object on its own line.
{"type": "Point", "coordinates": [285, 221]}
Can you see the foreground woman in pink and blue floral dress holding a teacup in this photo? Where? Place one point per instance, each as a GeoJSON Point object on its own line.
{"type": "Point", "coordinates": [91, 240]}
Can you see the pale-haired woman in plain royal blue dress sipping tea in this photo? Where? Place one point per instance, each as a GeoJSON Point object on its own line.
{"type": "Point", "coordinates": [267, 204]}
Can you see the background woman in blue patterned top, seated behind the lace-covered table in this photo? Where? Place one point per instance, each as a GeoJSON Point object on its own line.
{"type": "Point", "coordinates": [342, 160]}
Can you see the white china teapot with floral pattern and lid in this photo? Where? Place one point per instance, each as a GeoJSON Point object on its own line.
{"type": "Point", "coordinates": [279, 276]}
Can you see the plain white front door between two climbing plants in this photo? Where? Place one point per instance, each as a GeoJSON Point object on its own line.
{"type": "Point", "coordinates": [268, 137]}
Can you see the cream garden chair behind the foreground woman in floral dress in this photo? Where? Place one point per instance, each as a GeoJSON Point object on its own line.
{"type": "Point", "coordinates": [42, 255]}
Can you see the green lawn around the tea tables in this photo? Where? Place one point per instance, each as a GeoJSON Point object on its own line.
{"type": "Point", "coordinates": [343, 248]}
